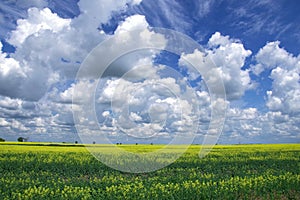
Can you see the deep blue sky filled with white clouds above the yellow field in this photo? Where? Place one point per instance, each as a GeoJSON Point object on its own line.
{"type": "Point", "coordinates": [231, 73]}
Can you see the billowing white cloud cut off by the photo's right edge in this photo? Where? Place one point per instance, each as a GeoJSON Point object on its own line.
{"type": "Point", "coordinates": [285, 70]}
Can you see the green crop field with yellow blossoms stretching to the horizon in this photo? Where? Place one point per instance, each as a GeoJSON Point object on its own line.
{"type": "Point", "coordinates": [38, 171]}
